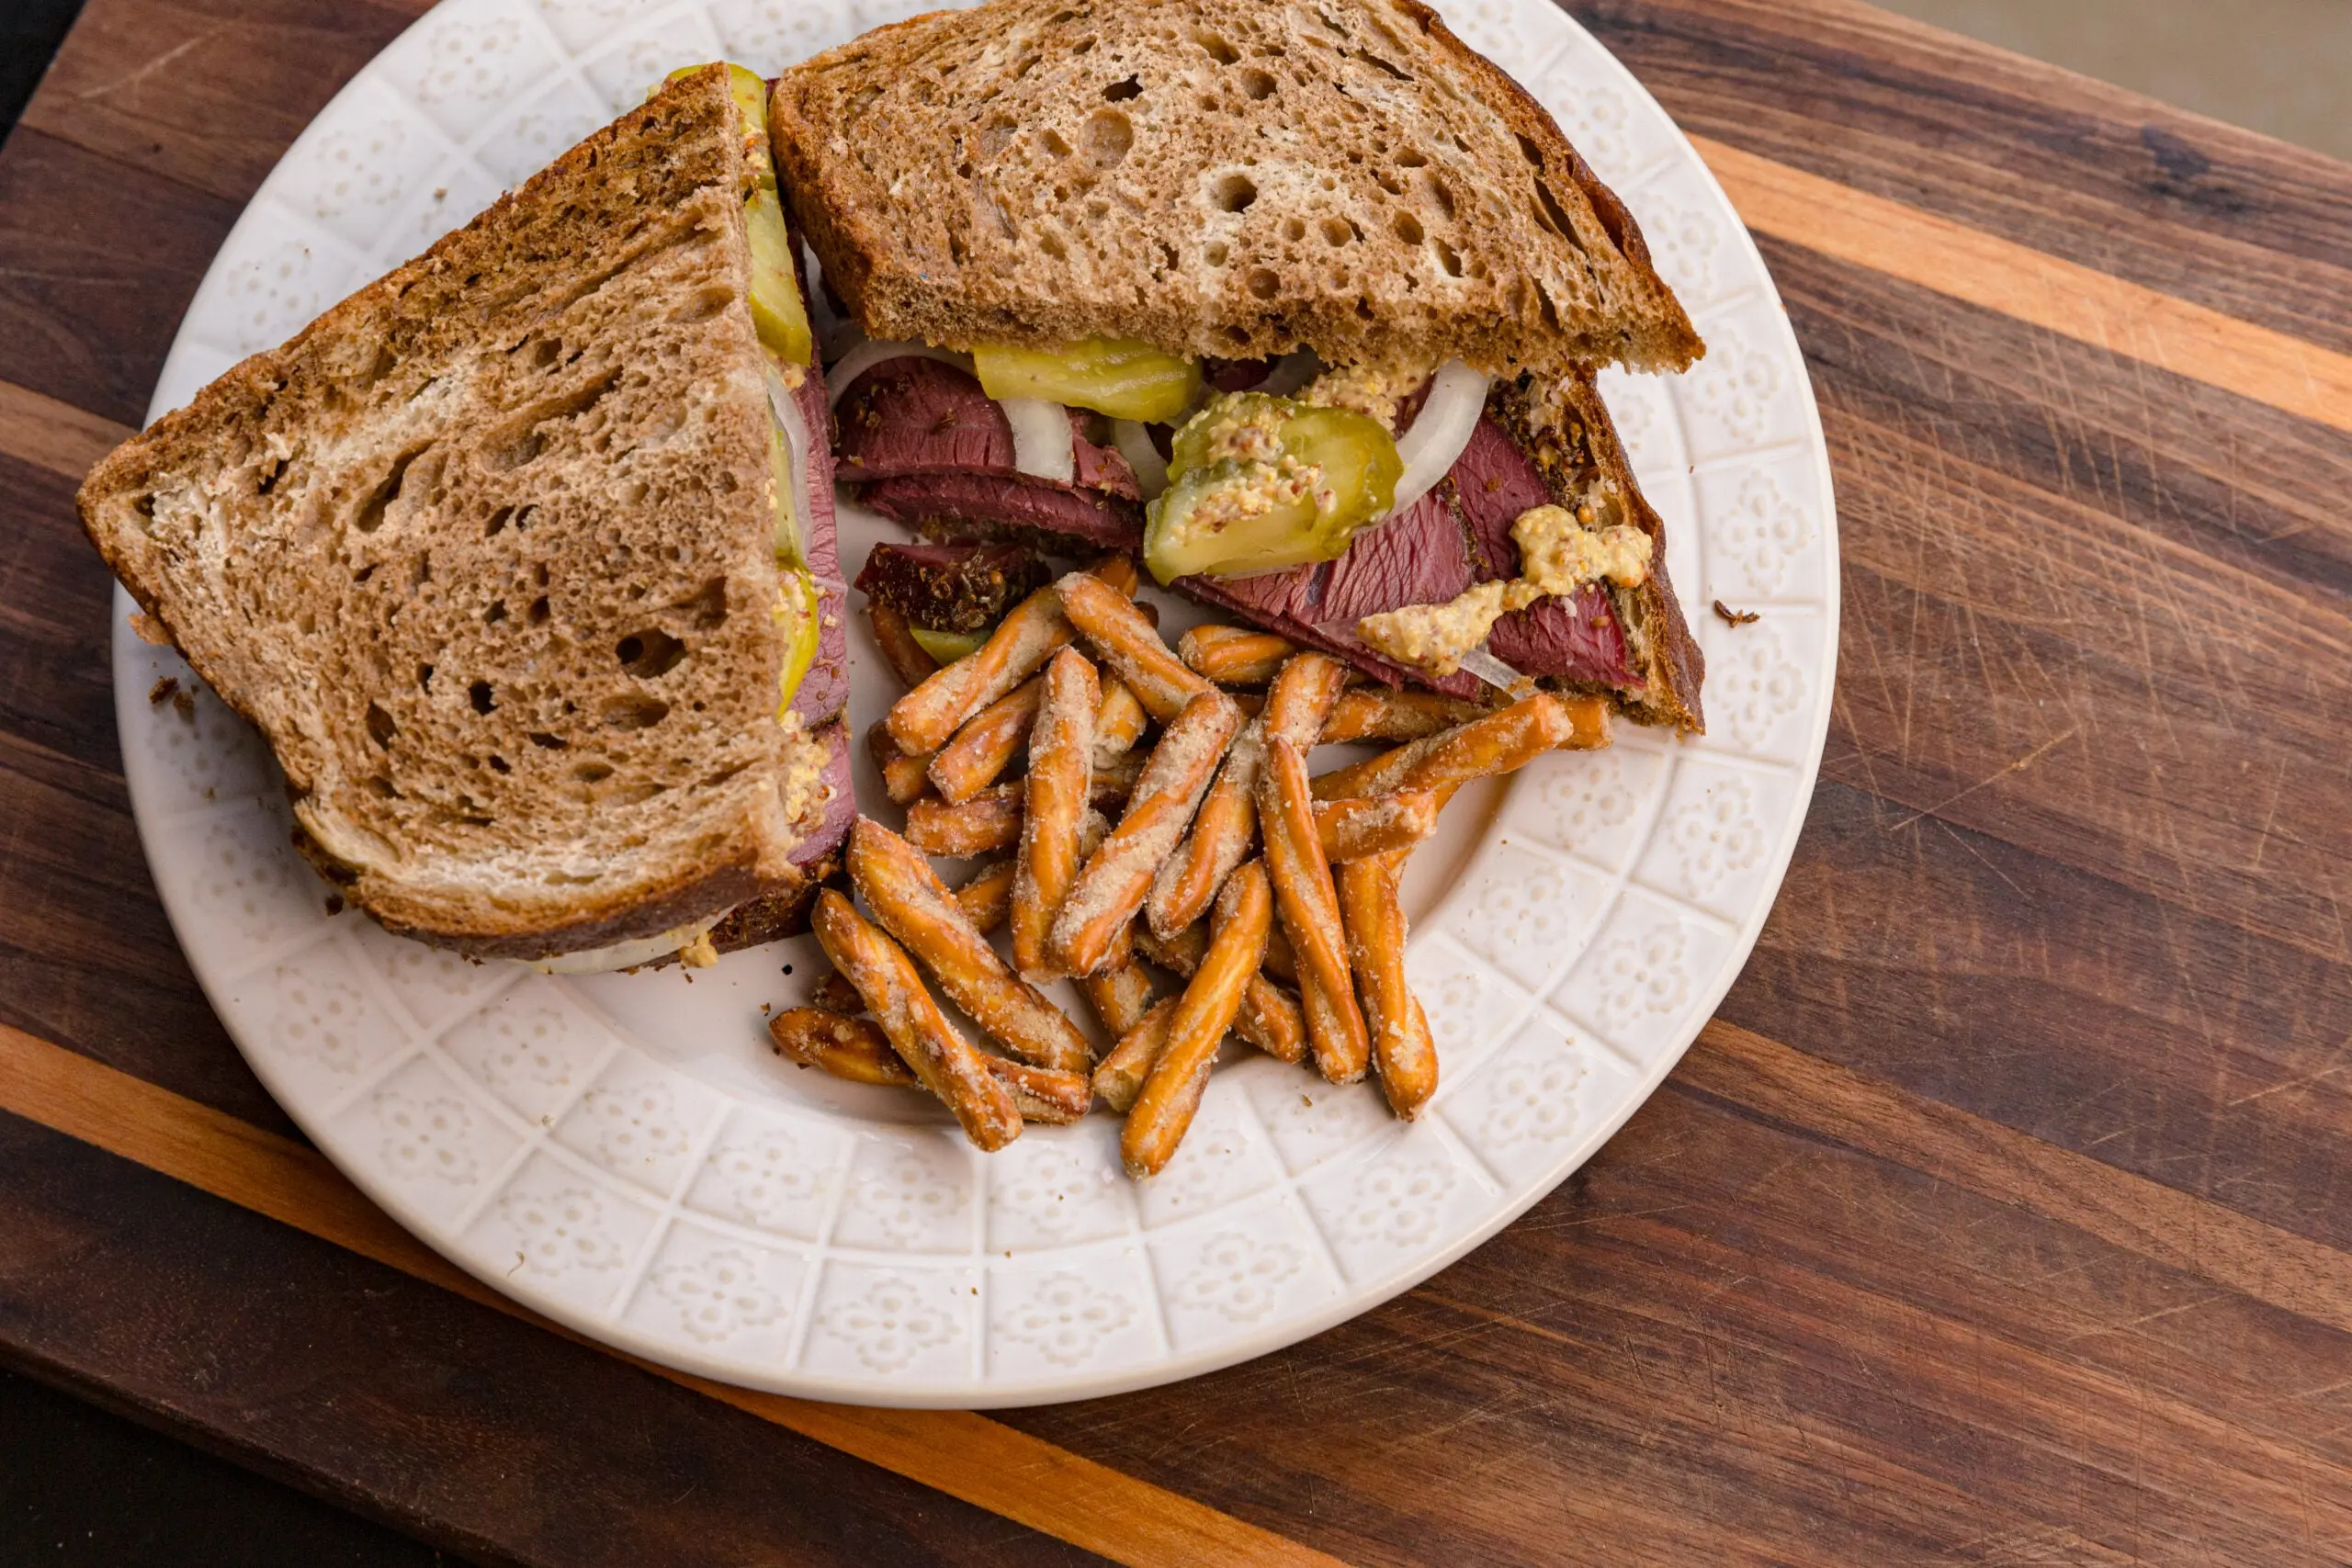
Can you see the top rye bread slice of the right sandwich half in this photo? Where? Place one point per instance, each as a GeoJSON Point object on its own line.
{"type": "Point", "coordinates": [1215, 177]}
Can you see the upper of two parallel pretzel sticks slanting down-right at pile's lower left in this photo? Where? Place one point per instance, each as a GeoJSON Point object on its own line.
{"type": "Point", "coordinates": [914, 906]}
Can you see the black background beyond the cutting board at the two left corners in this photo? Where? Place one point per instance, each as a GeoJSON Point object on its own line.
{"type": "Point", "coordinates": [86, 1489]}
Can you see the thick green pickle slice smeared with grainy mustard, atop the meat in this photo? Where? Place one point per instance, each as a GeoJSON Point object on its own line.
{"type": "Point", "coordinates": [1262, 483]}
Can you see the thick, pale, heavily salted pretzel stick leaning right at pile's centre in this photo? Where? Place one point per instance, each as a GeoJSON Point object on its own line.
{"type": "Point", "coordinates": [1121, 873]}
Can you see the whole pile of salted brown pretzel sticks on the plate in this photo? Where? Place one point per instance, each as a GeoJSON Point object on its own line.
{"type": "Point", "coordinates": [1208, 852]}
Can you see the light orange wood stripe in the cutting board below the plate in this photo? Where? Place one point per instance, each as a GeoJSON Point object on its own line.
{"type": "Point", "coordinates": [961, 1454]}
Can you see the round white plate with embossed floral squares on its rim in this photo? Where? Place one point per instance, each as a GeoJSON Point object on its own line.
{"type": "Point", "coordinates": [624, 1155]}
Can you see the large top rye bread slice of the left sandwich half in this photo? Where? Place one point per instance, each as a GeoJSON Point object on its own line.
{"type": "Point", "coordinates": [488, 554]}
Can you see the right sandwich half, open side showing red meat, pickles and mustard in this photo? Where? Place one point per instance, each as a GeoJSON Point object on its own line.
{"type": "Point", "coordinates": [1299, 302]}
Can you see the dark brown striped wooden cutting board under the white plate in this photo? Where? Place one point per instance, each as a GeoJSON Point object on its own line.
{"type": "Point", "coordinates": [2003, 1217]}
